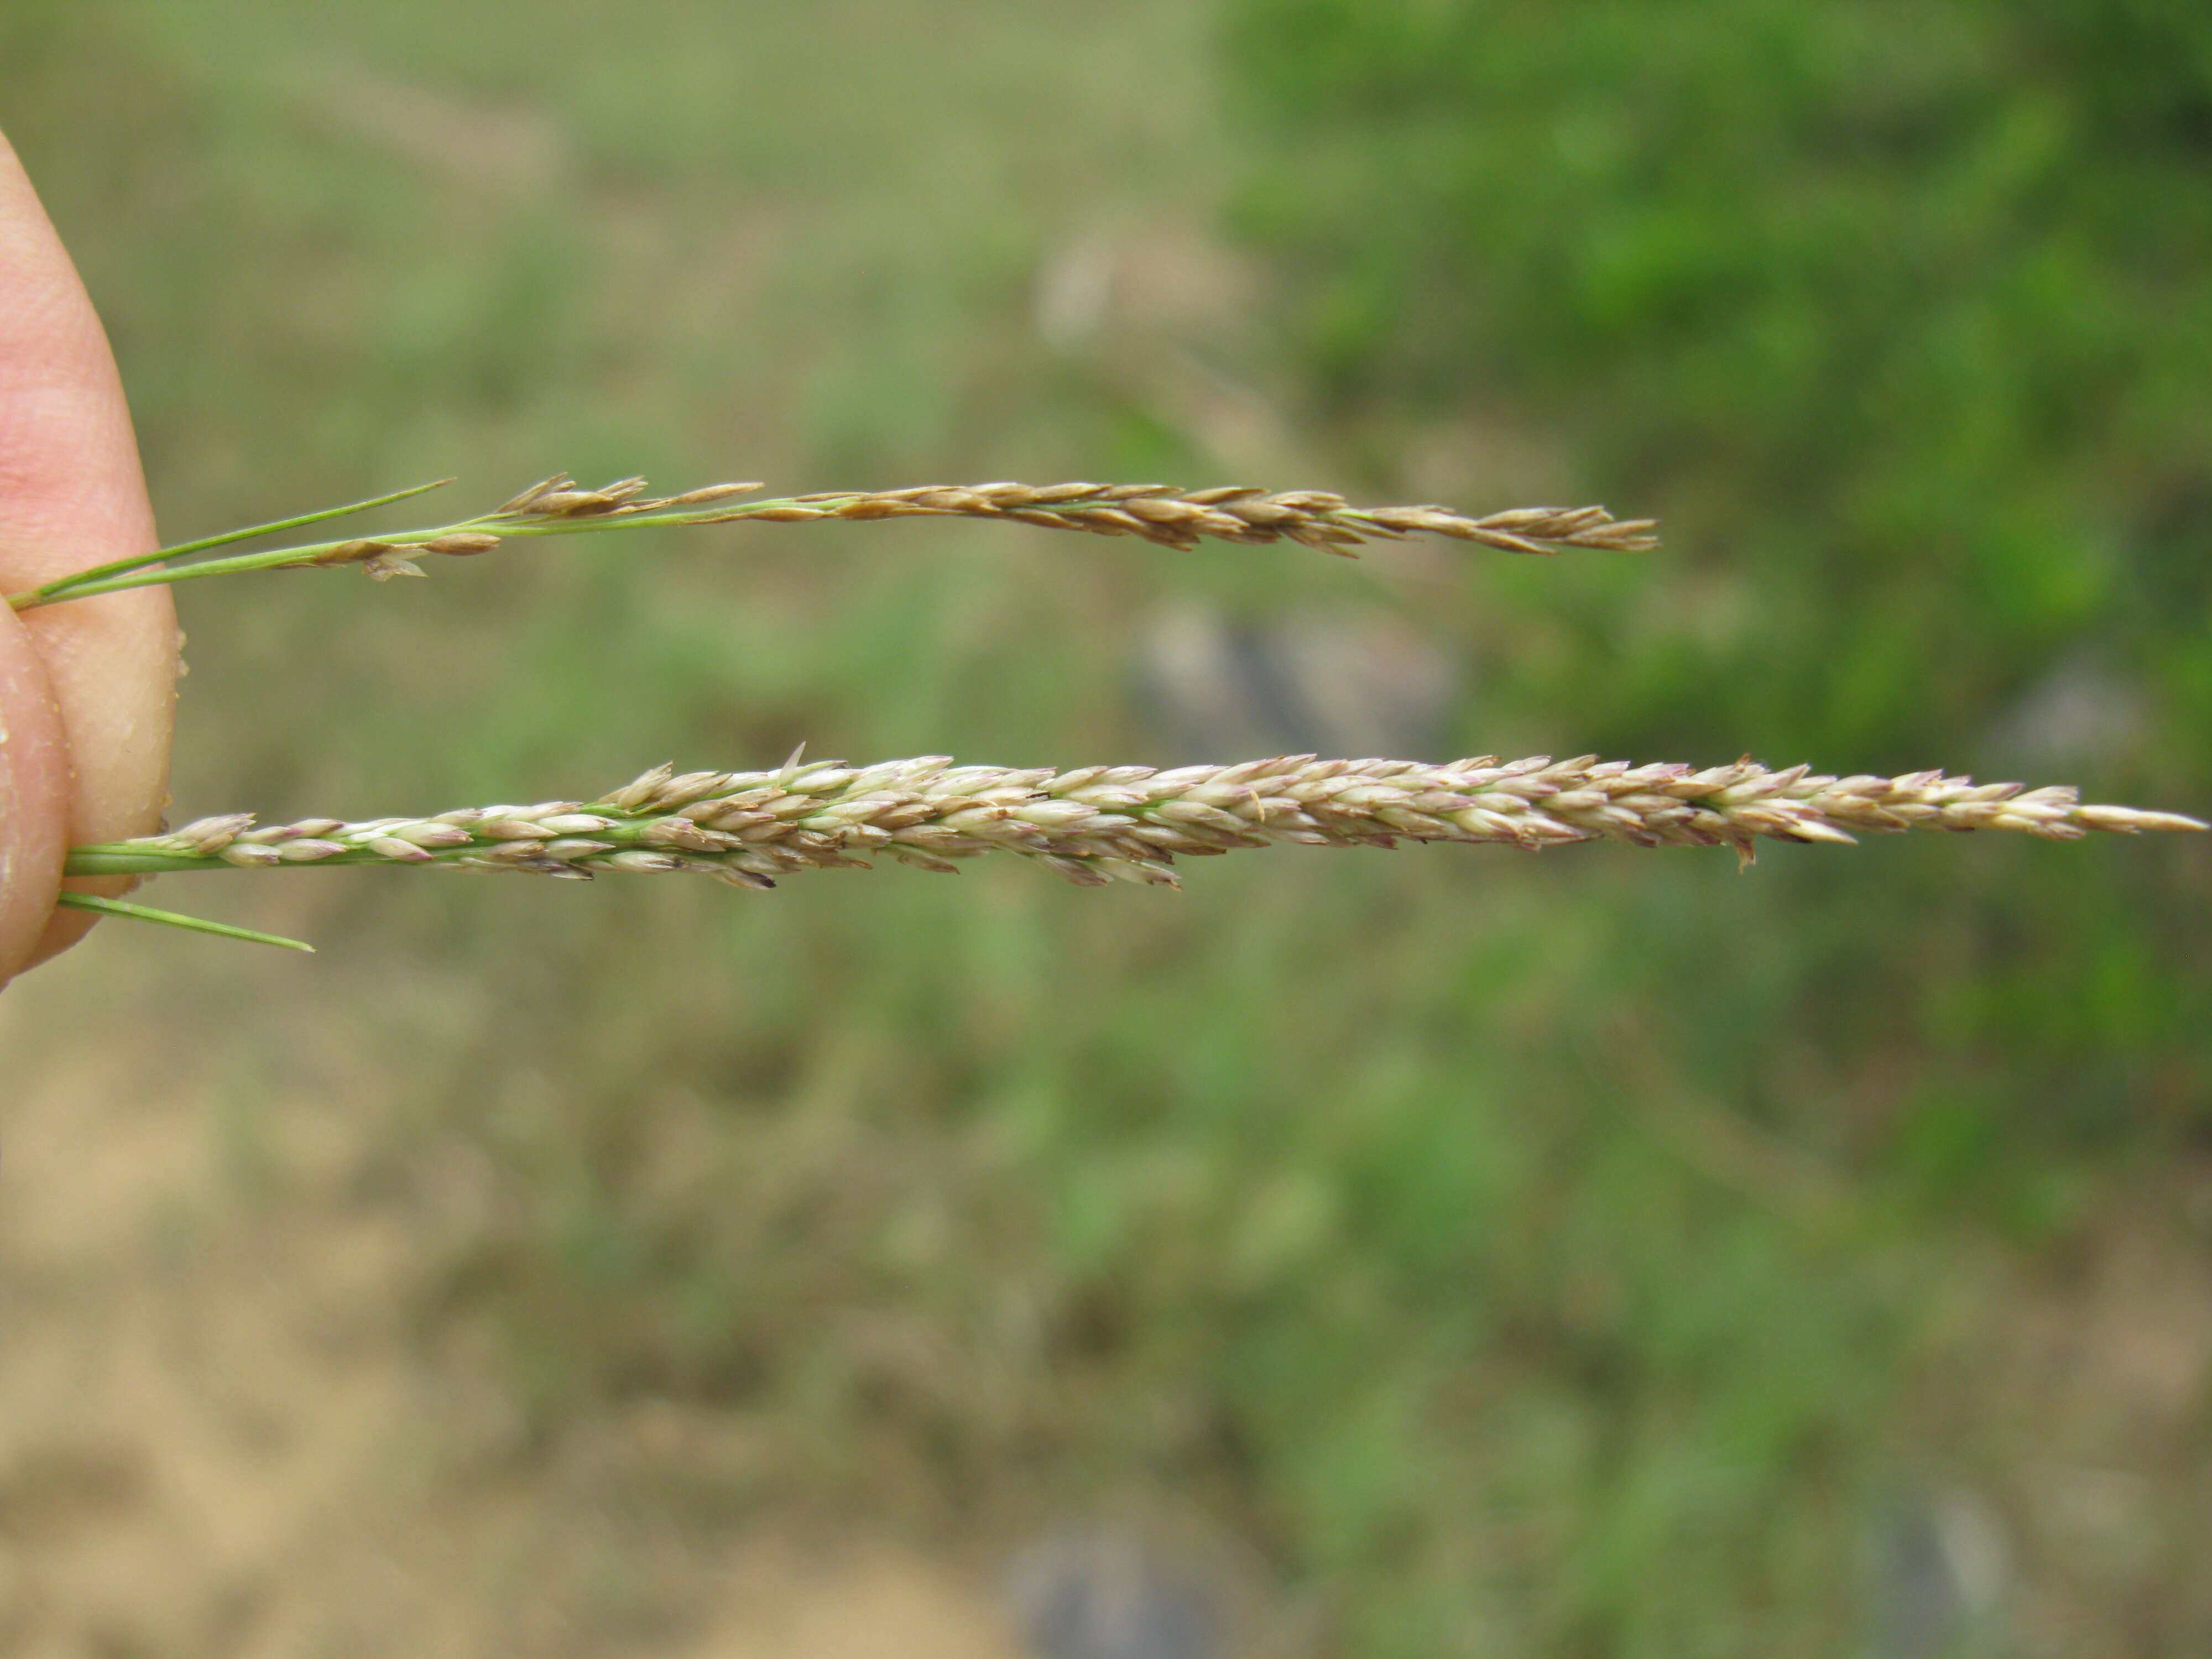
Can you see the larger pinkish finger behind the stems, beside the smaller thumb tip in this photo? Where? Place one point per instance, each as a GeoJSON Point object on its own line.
{"type": "Point", "coordinates": [72, 494]}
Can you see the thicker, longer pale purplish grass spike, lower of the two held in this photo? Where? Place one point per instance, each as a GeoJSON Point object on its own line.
{"type": "Point", "coordinates": [1123, 822]}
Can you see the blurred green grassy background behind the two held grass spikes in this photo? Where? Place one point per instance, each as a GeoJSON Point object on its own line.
{"type": "Point", "coordinates": [1594, 1255]}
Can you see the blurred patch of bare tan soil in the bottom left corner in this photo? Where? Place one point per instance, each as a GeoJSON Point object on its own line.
{"type": "Point", "coordinates": [220, 1437]}
